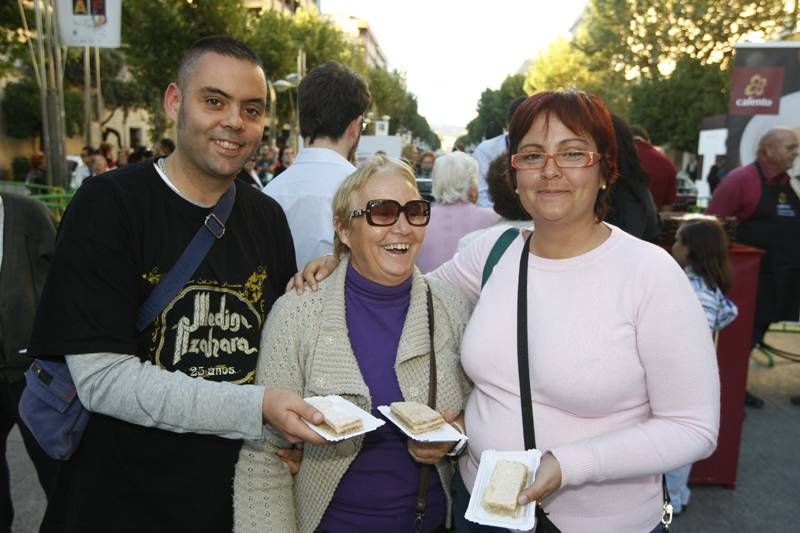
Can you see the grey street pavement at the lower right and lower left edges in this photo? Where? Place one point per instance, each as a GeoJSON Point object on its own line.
{"type": "Point", "coordinates": [766, 498]}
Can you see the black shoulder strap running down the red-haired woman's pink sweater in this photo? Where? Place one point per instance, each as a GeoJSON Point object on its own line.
{"type": "Point", "coordinates": [543, 523]}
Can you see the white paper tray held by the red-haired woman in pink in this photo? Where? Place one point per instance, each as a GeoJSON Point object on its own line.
{"type": "Point", "coordinates": [526, 521]}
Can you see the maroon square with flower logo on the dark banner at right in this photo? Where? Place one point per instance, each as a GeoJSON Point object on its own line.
{"type": "Point", "coordinates": [756, 91]}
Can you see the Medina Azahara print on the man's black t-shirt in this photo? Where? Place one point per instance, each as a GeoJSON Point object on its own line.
{"type": "Point", "coordinates": [211, 330]}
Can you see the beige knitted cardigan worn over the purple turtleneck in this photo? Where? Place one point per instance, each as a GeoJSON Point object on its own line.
{"type": "Point", "coordinates": [305, 347]}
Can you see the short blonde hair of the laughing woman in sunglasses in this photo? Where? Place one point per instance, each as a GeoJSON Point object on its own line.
{"type": "Point", "coordinates": [344, 201]}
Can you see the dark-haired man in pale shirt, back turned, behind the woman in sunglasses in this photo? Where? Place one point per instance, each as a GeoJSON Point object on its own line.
{"type": "Point", "coordinates": [332, 101]}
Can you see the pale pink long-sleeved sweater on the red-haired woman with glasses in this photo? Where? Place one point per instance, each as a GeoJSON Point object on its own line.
{"type": "Point", "coordinates": [624, 375]}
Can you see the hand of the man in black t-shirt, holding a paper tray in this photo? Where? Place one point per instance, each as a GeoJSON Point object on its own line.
{"type": "Point", "coordinates": [283, 408]}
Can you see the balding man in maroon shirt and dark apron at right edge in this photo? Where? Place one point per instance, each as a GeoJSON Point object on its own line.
{"type": "Point", "coordinates": [767, 209]}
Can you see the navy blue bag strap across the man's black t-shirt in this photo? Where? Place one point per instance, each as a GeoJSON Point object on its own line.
{"type": "Point", "coordinates": [213, 228]}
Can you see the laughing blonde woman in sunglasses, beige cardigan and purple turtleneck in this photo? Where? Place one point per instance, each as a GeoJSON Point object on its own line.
{"type": "Point", "coordinates": [366, 336]}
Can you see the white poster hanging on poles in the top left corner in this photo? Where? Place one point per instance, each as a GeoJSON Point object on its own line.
{"type": "Point", "coordinates": [89, 22]}
